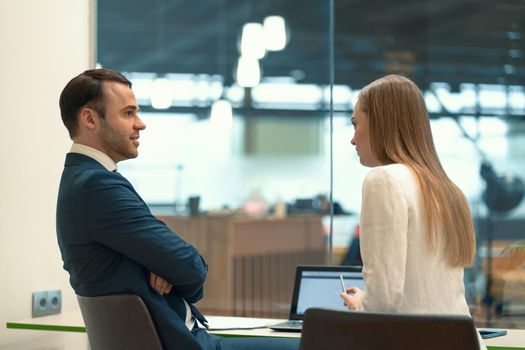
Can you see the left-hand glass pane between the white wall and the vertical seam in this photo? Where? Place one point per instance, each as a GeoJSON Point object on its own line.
{"type": "Point", "coordinates": [235, 156]}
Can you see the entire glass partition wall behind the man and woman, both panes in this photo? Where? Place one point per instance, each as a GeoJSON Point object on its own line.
{"type": "Point", "coordinates": [247, 148]}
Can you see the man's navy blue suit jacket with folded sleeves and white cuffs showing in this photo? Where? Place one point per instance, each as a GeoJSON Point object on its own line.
{"type": "Point", "coordinates": [110, 242]}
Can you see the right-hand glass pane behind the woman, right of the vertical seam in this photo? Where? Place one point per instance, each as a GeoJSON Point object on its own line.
{"type": "Point", "coordinates": [467, 57]}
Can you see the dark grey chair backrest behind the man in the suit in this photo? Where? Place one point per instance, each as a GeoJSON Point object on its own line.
{"type": "Point", "coordinates": [119, 321]}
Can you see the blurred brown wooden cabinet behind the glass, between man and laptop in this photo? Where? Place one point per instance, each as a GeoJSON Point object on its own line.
{"type": "Point", "coordinates": [251, 261]}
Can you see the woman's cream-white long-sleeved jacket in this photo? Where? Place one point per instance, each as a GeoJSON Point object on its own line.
{"type": "Point", "coordinates": [400, 272]}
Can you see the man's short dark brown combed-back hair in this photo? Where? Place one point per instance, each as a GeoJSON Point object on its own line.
{"type": "Point", "coordinates": [86, 90]}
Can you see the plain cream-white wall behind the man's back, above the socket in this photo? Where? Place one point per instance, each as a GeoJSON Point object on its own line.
{"type": "Point", "coordinates": [42, 45]}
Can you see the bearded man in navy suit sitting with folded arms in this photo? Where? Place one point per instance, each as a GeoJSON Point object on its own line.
{"type": "Point", "coordinates": [109, 240]}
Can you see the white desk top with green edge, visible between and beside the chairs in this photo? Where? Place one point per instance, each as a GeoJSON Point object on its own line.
{"type": "Point", "coordinates": [72, 322]}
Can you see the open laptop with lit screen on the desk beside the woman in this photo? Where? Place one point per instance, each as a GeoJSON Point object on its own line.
{"type": "Point", "coordinates": [318, 286]}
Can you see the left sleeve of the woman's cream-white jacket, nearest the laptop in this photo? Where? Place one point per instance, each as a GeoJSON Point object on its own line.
{"type": "Point", "coordinates": [383, 239]}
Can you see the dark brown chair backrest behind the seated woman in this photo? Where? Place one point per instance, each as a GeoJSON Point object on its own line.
{"type": "Point", "coordinates": [330, 329]}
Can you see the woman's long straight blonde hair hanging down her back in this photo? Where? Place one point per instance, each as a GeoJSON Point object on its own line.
{"type": "Point", "coordinates": [400, 133]}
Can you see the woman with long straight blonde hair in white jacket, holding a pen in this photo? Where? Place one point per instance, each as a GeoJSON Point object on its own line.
{"type": "Point", "coordinates": [417, 234]}
